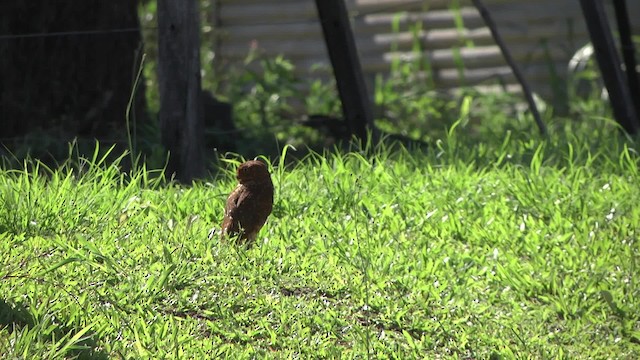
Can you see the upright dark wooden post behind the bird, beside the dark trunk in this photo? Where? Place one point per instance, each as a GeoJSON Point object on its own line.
{"type": "Point", "coordinates": [181, 119]}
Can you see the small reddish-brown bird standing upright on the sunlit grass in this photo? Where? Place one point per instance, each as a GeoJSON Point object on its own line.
{"type": "Point", "coordinates": [249, 205]}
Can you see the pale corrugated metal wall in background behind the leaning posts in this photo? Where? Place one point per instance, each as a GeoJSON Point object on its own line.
{"type": "Point", "coordinates": [541, 34]}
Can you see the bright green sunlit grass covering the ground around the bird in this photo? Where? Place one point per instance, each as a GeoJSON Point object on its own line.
{"type": "Point", "coordinates": [506, 248]}
